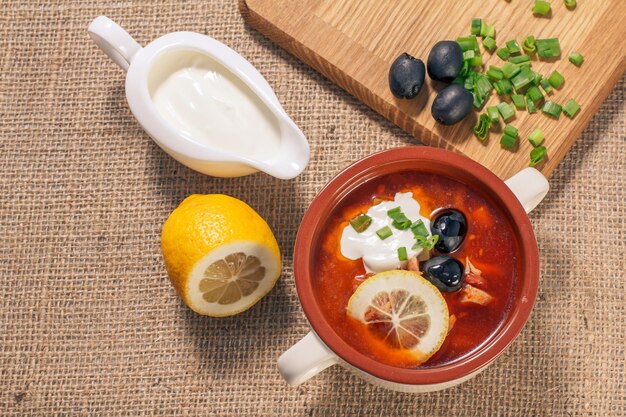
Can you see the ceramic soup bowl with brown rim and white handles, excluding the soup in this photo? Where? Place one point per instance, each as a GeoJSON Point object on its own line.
{"type": "Point", "coordinates": [324, 347]}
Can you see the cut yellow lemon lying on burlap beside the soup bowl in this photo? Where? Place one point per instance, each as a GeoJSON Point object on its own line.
{"type": "Point", "coordinates": [220, 255]}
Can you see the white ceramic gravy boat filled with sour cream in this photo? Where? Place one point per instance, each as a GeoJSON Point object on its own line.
{"type": "Point", "coordinates": [169, 111]}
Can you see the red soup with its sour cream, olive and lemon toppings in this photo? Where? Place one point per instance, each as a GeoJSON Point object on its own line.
{"type": "Point", "coordinates": [441, 229]}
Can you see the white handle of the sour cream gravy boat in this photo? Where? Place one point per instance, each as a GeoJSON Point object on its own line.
{"type": "Point", "coordinates": [114, 41]}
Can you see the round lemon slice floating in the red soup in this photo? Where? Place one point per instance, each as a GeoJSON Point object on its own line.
{"type": "Point", "coordinates": [403, 309]}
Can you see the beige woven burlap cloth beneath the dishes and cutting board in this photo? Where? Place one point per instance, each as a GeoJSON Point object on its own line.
{"type": "Point", "coordinates": [89, 324]}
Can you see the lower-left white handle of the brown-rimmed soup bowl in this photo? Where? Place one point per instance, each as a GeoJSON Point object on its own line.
{"type": "Point", "coordinates": [305, 359]}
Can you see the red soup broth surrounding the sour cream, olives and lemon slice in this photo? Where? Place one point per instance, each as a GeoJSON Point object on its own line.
{"type": "Point", "coordinates": [490, 244]}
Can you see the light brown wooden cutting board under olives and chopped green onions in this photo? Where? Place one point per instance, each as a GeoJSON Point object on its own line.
{"type": "Point", "coordinates": [353, 43]}
